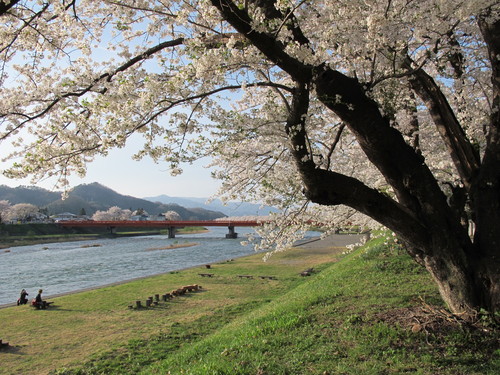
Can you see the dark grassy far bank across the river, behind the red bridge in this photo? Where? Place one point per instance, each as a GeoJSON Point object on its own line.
{"type": "Point", "coordinates": [31, 234]}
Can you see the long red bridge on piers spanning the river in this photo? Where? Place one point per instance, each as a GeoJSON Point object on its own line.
{"type": "Point", "coordinates": [170, 224]}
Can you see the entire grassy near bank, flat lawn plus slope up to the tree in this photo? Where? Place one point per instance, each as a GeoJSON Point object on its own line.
{"type": "Point", "coordinates": [361, 315]}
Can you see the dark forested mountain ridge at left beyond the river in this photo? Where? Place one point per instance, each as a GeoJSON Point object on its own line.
{"type": "Point", "coordinates": [94, 197]}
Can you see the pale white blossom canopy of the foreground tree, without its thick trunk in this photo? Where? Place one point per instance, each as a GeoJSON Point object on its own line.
{"type": "Point", "coordinates": [80, 81]}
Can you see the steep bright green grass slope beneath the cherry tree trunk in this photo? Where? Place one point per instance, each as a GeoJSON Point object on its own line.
{"type": "Point", "coordinates": [373, 312]}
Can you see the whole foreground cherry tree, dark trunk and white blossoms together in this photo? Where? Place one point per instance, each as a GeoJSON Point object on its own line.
{"type": "Point", "coordinates": [364, 110]}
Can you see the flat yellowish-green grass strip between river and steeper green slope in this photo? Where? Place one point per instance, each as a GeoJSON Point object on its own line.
{"type": "Point", "coordinates": [89, 322]}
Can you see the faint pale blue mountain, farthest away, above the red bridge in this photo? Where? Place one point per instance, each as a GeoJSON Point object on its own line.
{"type": "Point", "coordinates": [229, 209]}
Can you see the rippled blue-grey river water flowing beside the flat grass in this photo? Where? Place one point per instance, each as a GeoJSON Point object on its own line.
{"type": "Point", "coordinates": [71, 266]}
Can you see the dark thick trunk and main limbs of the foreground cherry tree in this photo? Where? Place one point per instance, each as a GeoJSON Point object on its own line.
{"type": "Point", "coordinates": [466, 271]}
